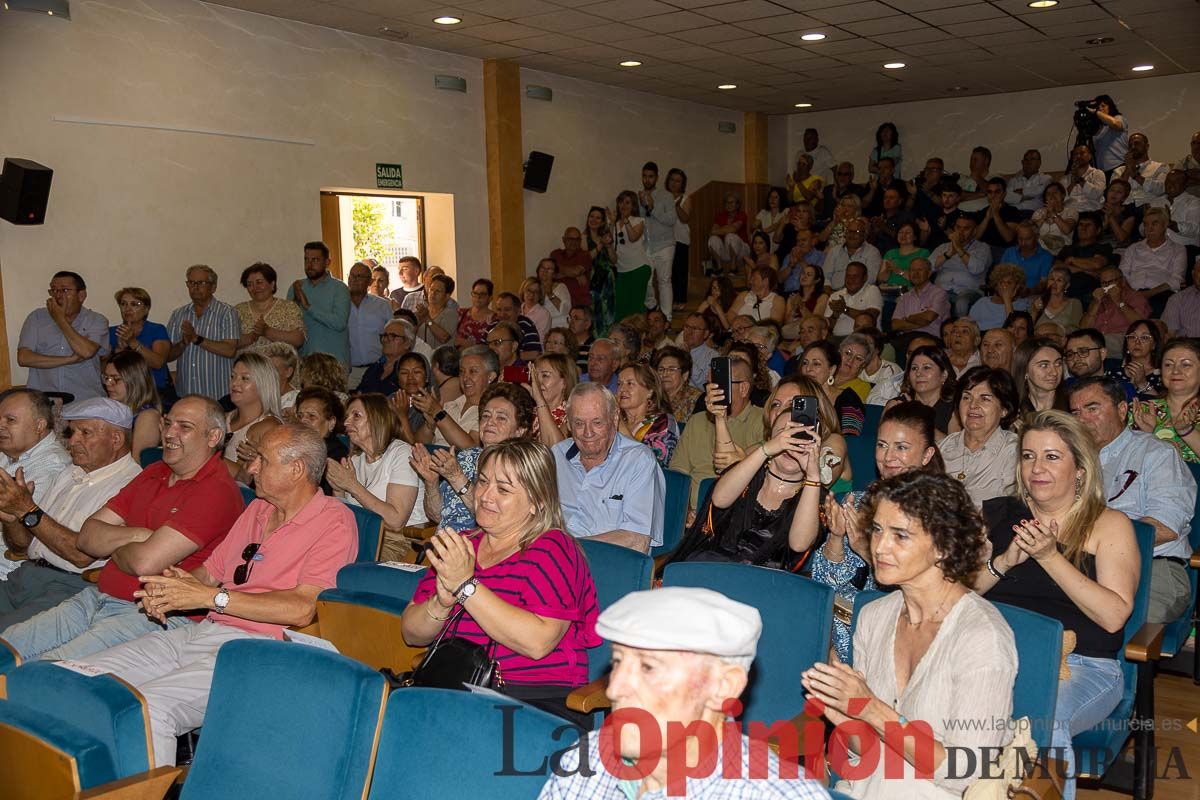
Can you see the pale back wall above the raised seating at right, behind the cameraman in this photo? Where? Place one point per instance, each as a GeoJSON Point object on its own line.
{"type": "Point", "coordinates": [1163, 109]}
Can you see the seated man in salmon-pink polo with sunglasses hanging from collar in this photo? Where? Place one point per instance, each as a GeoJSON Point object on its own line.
{"type": "Point", "coordinates": [284, 551]}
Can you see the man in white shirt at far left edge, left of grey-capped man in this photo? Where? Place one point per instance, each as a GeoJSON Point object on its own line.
{"type": "Point", "coordinates": [28, 444]}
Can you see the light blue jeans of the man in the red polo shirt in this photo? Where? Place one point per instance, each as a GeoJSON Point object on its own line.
{"type": "Point", "coordinates": [82, 625]}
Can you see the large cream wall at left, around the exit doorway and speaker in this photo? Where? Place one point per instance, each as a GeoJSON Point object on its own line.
{"type": "Point", "coordinates": [135, 207]}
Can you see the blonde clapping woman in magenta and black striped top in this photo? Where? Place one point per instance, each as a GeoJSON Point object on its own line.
{"type": "Point", "coordinates": [523, 582]}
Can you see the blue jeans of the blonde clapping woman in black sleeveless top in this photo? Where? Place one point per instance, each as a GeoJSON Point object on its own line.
{"type": "Point", "coordinates": [1085, 700]}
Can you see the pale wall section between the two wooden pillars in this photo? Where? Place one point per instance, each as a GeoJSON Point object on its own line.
{"type": "Point", "coordinates": [601, 137]}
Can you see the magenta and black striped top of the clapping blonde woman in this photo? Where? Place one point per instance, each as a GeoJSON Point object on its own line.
{"type": "Point", "coordinates": [550, 579]}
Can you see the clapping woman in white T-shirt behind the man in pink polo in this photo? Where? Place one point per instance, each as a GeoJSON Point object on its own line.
{"type": "Point", "coordinates": [379, 476]}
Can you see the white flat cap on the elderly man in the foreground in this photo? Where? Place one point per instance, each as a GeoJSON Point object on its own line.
{"type": "Point", "coordinates": [680, 618]}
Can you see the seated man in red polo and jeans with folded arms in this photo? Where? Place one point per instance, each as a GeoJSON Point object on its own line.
{"type": "Point", "coordinates": [175, 513]}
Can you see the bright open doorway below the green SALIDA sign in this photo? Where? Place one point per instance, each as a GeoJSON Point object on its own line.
{"type": "Point", "coordinates": [388, 226]}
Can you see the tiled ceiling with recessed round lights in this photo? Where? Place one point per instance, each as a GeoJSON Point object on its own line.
{"type": "Point", "coordinates": [765, 49]}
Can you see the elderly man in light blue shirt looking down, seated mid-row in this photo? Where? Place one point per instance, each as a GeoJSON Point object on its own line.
{"type": "Point", "coordinates": [611, 486]}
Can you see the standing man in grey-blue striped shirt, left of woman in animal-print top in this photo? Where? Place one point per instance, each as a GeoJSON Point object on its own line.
{"type": "Point", "coordinates": [203, 338]}
